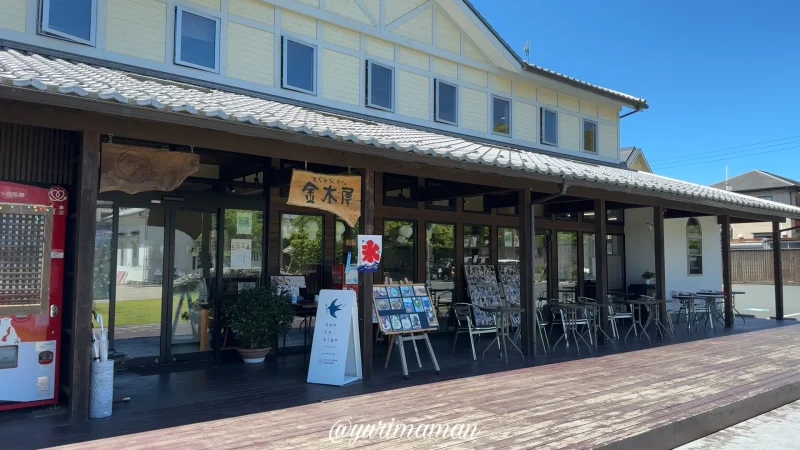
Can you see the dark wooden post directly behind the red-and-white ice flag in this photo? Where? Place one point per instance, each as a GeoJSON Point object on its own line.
{"type": "Point", "coordinates": [367, 226]}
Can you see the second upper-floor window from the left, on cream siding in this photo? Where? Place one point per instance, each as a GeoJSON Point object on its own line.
{"type": "Point", "coordinates": [196, 40]}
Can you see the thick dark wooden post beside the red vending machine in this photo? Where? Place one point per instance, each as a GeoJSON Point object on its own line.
{"type": "Point", "coordinates": [83, 257]}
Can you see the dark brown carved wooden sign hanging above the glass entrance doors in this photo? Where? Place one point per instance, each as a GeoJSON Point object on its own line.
{"type": "Point", "coordinates": [133, 169]}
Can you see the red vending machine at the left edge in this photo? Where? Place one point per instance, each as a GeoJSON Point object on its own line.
{"type": "Point", "coordinates": [32, 236]}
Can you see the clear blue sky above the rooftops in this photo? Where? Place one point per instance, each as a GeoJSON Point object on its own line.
{"type": "Point", "coordinates": [717, 74]}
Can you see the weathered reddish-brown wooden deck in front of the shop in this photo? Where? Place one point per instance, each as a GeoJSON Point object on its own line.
{"type": "Point", "coordinates": [636, 397]}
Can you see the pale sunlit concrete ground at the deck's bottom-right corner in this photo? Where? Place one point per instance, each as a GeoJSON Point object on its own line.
{"type": "Point", "coordinates": [777, 430]}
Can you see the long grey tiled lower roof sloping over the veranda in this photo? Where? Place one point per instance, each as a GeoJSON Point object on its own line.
{"type": "Point", "coordinates": [60, 76]}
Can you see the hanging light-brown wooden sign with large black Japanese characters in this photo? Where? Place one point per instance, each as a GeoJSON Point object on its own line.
{"type": "Point", "coordinates": [337, 194]}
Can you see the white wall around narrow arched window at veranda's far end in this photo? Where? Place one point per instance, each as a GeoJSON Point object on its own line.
{"type": "Point", "coordinates": [640, 253]}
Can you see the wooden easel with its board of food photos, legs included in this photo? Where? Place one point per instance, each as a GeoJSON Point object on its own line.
{"type": "Point", "coordinates": [405, 314]}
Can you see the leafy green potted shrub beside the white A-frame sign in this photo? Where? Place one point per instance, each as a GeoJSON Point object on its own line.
{"type": "Point", "coordinates": [258, 317]}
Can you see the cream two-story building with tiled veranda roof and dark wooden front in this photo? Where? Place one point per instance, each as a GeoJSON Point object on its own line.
{"type": "Point", "coordinates": [467, 155]}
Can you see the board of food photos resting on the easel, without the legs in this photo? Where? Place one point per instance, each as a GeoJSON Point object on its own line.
{"type": "Point", "coordinates": [404, 308]}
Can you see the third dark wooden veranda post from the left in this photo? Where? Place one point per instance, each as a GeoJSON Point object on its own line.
{"type": "Point", "coordinates": [526, 265]}
